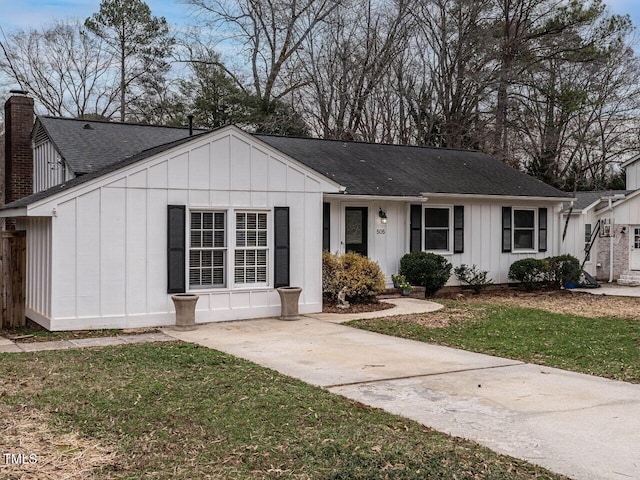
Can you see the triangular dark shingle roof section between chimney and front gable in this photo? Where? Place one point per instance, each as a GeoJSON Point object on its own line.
{"type": "Point", "coordinates": [88, 150]}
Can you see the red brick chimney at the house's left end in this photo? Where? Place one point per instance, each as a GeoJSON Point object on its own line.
{"type": "Point", "coordinates": [18, 155]}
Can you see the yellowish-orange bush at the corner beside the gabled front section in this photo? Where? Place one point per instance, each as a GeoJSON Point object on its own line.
{"type": "Point", "coordinates": [362, 278]}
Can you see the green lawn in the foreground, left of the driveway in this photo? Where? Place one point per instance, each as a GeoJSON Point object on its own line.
{"type": "Point", "coordinates": [181, 411]}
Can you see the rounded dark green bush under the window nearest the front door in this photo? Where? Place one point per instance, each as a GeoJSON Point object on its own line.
{"type": "Point", "coordinates": [428, 270]}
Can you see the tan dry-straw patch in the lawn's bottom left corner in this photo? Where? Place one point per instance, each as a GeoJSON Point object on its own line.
{"type": "Point", "coordinates": [37, 453]}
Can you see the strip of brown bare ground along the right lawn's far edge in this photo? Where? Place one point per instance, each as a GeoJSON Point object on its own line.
{"type": "Point", "coordinates": [560, 301]}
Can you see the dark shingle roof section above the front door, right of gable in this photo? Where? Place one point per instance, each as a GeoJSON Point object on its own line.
{"type": "Point", "coordinates": [394, 170]}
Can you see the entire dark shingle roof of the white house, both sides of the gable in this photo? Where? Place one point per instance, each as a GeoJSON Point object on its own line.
{"type": "Point", "coordinates": [364, 168]}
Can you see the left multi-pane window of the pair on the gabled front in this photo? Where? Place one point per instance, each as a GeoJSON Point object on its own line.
{"type": "Point", "coordinates": [207, 249]}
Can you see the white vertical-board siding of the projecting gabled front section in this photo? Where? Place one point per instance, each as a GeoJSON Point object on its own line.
{"type": "Point", "coordinates": [110, 235]}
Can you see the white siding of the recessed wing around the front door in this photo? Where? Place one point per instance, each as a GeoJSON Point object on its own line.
{"type": "Point", "coordinates": [482, 233]}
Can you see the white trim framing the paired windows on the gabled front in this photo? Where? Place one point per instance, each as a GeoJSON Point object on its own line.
{"type": "Point", "coordinates": [230, 217]}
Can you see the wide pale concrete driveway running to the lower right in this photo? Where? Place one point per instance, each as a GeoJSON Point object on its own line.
{"type": "Point", "coordinates": [582, 426]}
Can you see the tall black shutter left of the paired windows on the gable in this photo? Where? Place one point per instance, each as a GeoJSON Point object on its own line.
{"type": "Point", "coordinates": [176, 253]}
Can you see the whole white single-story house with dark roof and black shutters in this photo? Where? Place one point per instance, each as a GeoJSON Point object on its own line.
{"type": "Point", "coordinates": [232, 216]}
